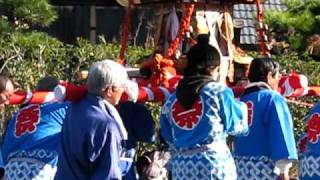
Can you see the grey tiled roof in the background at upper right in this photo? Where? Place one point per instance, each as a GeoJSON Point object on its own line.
{"type": "Point", "coordinates": [247, 12]}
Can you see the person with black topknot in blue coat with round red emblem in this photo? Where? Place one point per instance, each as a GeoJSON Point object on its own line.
{"type": "Point", "coordinates": [196, 120]}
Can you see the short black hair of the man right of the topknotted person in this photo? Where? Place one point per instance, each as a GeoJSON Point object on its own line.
{"type": "Point", "coordinates": [260, 67]}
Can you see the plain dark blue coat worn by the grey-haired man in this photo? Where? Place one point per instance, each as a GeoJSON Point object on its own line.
{"type": "Point", "coordinates": [90, 142]}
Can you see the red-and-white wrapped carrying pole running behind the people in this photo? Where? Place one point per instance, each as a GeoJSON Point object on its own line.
{"type": "Point", "coordinates": [291, 85]}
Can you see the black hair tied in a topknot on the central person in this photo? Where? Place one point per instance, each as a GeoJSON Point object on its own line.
{"type": "Point", "coordinates": [201, 57]}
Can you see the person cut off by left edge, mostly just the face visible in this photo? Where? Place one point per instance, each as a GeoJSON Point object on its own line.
{"type": "Point", "coordinates": [6, 90]}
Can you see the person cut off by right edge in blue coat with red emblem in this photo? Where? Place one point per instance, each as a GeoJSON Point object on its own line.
{"type": "Point", "coordinates": [309, 147]}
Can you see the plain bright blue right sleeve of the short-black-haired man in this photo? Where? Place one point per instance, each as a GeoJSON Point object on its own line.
{"type": "Point", "coordinates": [280, 129]}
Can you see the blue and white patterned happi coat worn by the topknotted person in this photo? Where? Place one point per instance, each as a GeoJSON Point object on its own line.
{"type": "Point", "coordinates": [197, 136]}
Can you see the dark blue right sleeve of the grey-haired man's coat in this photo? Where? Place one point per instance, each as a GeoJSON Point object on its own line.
{"type": "Point", "coordinates": [103, 151]}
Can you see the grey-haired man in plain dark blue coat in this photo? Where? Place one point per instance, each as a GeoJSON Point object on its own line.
{"type": "Point", "coordinates": [93, 131]}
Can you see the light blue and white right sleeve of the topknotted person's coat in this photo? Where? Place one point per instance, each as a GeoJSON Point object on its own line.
{"type": "Point", "coordinates": [233, 113]}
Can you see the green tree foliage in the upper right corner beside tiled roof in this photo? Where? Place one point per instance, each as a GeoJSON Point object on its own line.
{"type": "Point", "coordinates": [302, 18]}
